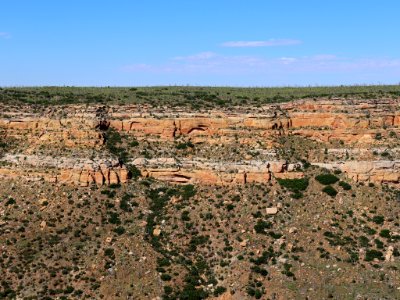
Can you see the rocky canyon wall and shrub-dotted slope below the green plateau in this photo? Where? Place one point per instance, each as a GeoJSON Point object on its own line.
{"type": "Point", "coordinates": [293, 201]}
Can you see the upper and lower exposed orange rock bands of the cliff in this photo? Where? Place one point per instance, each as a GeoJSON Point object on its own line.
{"type": "Point", "coordinates": [358, 124]}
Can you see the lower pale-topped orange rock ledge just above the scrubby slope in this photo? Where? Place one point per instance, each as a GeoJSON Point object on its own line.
{"type": "Point", "coordinates": [101, 171]}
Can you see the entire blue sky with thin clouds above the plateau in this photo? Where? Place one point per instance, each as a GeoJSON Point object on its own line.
{"type": "Point", "coordinates": [237, 43]}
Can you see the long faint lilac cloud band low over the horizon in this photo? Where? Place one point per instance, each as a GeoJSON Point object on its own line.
{"type": "Point", "coordinates": [210, 63]}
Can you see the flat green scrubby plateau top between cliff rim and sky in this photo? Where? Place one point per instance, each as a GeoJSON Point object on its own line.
{"type": "Point", "coordinates": [183, 96]}
